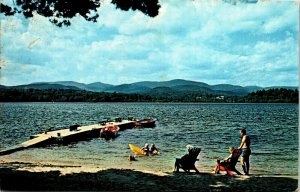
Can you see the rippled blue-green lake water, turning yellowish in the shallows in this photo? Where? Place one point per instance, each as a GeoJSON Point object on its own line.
{"type": "Point", "coordinates": [213, 127]}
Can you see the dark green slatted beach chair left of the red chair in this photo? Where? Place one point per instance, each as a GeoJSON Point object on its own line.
{"type": "Point", "coordinates": [187, 162]}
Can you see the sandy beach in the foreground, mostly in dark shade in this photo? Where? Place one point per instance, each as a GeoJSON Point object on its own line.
{"type": "Point", "coordinates": [33, 176]}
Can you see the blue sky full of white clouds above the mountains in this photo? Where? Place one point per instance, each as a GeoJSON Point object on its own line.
{"type": "Point", "coordinates": [214, 42]}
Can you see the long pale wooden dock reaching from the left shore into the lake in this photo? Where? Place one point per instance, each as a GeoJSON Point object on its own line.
{"type": "Point", "coordinates": [74, 133]}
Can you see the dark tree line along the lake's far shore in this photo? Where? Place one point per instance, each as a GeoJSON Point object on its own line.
{"type": "Point", "coordinates": [281, 95]}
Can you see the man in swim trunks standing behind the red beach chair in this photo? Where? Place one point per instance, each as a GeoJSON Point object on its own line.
{"type": "Point", "coordinates": [246, 151]}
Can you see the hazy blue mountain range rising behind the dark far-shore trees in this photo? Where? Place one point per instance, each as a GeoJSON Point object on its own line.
{"type": "Point", "coordinates": [152, 88]}
